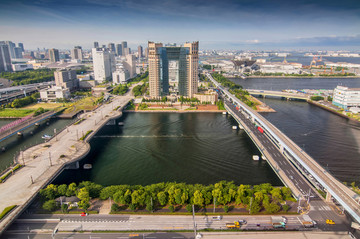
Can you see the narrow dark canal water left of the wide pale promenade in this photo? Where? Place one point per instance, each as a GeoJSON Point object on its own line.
{"type": "Point", "coordinates": [31, 136]}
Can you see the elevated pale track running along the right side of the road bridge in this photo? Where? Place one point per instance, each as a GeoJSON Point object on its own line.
{"type": "Point", "coordinates": [315, 173]}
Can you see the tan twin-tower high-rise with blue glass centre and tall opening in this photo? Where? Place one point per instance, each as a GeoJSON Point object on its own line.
{"type": "Point", "coordinates": [188, 60]}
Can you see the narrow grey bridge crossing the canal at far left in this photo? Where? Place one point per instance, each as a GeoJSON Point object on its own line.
{"type": "Point", "coordinates": [8, 132]}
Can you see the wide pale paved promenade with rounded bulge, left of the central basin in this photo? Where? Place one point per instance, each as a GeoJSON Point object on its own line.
{"type": "Point", "coordinates": [45, 161]}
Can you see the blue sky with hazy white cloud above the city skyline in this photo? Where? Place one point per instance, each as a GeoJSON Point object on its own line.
{"type": "Point", "coordinates": [221, 24]}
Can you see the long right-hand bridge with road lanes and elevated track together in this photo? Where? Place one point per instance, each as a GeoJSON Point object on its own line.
{"type": "Point", "coordinates": [287, 149]}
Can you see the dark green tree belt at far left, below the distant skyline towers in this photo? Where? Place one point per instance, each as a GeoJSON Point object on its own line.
{"type": "Point", "coordinates": [29, 76]}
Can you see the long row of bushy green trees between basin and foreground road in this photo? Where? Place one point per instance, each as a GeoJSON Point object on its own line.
{"type": "Point", "coordinates": [255, 198]}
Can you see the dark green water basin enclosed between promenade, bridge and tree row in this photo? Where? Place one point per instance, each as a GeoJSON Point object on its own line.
{"type": "Point", "coordinates": [160, 147]}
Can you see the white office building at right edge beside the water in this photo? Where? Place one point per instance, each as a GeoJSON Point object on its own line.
{"type": "Point", "coordinates": [345, 97]}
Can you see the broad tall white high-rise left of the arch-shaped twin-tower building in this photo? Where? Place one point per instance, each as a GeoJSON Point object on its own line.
{"type": "Point", "coordinates": [104, 64]}
